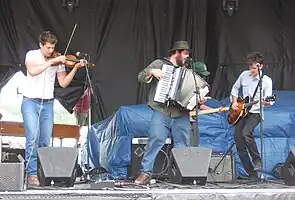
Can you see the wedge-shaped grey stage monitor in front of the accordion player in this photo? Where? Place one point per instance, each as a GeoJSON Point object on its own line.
{"type": "Point", "coordinates": [189, 165]}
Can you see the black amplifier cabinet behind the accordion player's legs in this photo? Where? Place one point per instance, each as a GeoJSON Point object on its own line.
{"type": "Point", "coordinates": [161, 165]}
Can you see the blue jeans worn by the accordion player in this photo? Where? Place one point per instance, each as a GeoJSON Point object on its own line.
{"type": "Point", "coordinates": [160, 128]}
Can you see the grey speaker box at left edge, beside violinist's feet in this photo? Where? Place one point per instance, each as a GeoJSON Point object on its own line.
{"type": "Point", "coordinates": [12, 176]}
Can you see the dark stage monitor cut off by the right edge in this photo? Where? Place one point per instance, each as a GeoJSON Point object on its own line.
{"type": "Point", "coordinates": [288, 170]}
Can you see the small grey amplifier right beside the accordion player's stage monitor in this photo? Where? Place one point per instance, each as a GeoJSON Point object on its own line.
{"type": "Point", "coordinates": [225, 171]}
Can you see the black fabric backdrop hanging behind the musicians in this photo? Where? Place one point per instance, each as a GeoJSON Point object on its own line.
{"type": "Point", "coordinates": [122, 37]}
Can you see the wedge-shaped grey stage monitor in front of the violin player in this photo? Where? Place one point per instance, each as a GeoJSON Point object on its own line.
{"type": "Point", "coordinates": [57, 166]}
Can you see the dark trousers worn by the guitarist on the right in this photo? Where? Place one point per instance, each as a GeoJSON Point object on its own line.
{"type": "Point", "coordinates": [245, 142]}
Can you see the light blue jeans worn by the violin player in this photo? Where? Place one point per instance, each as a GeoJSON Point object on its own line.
{"type": "Point", "coordinates": [37, 133]}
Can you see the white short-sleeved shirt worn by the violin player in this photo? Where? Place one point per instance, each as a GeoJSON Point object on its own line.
{"type": "Point", "coordinates": [42, 85]}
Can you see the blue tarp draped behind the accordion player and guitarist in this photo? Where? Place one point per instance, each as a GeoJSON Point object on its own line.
{"type": "Point", "coordinates": [110, 140]}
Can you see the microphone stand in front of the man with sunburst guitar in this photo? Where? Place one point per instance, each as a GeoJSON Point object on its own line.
{"type": "Point", "coordinates": [261, 124]}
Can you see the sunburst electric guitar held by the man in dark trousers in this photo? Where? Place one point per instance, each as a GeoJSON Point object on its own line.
{"type": "Point", "coordinates": [244, 105]}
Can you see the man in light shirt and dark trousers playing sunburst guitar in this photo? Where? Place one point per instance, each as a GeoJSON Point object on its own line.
{"type": "Point", "coordinates": [244, 127]}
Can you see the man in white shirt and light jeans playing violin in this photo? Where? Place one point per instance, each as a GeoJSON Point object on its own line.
{"type": "Point", "coordinates": [37, 105]}
